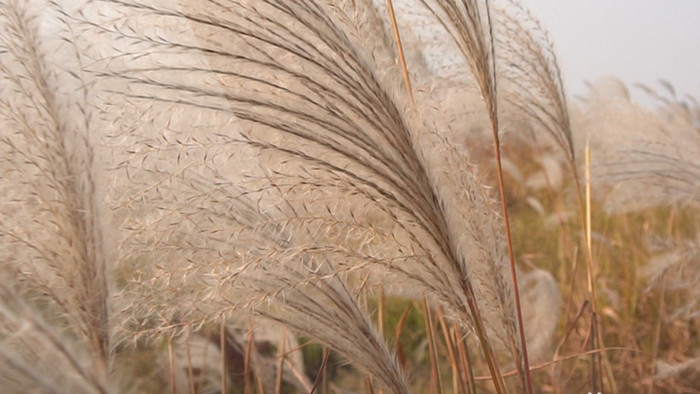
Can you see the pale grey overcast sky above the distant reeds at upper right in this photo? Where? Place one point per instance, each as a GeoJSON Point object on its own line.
{"type": "Point", "coordinates": [636, 40]}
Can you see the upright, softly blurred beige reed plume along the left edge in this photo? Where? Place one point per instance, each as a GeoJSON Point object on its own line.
{"type": "Point", "coordinates": [55, 261]}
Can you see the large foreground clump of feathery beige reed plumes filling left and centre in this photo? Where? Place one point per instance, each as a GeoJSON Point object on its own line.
{"type": "Point", "coordinates": [265, 158]}
